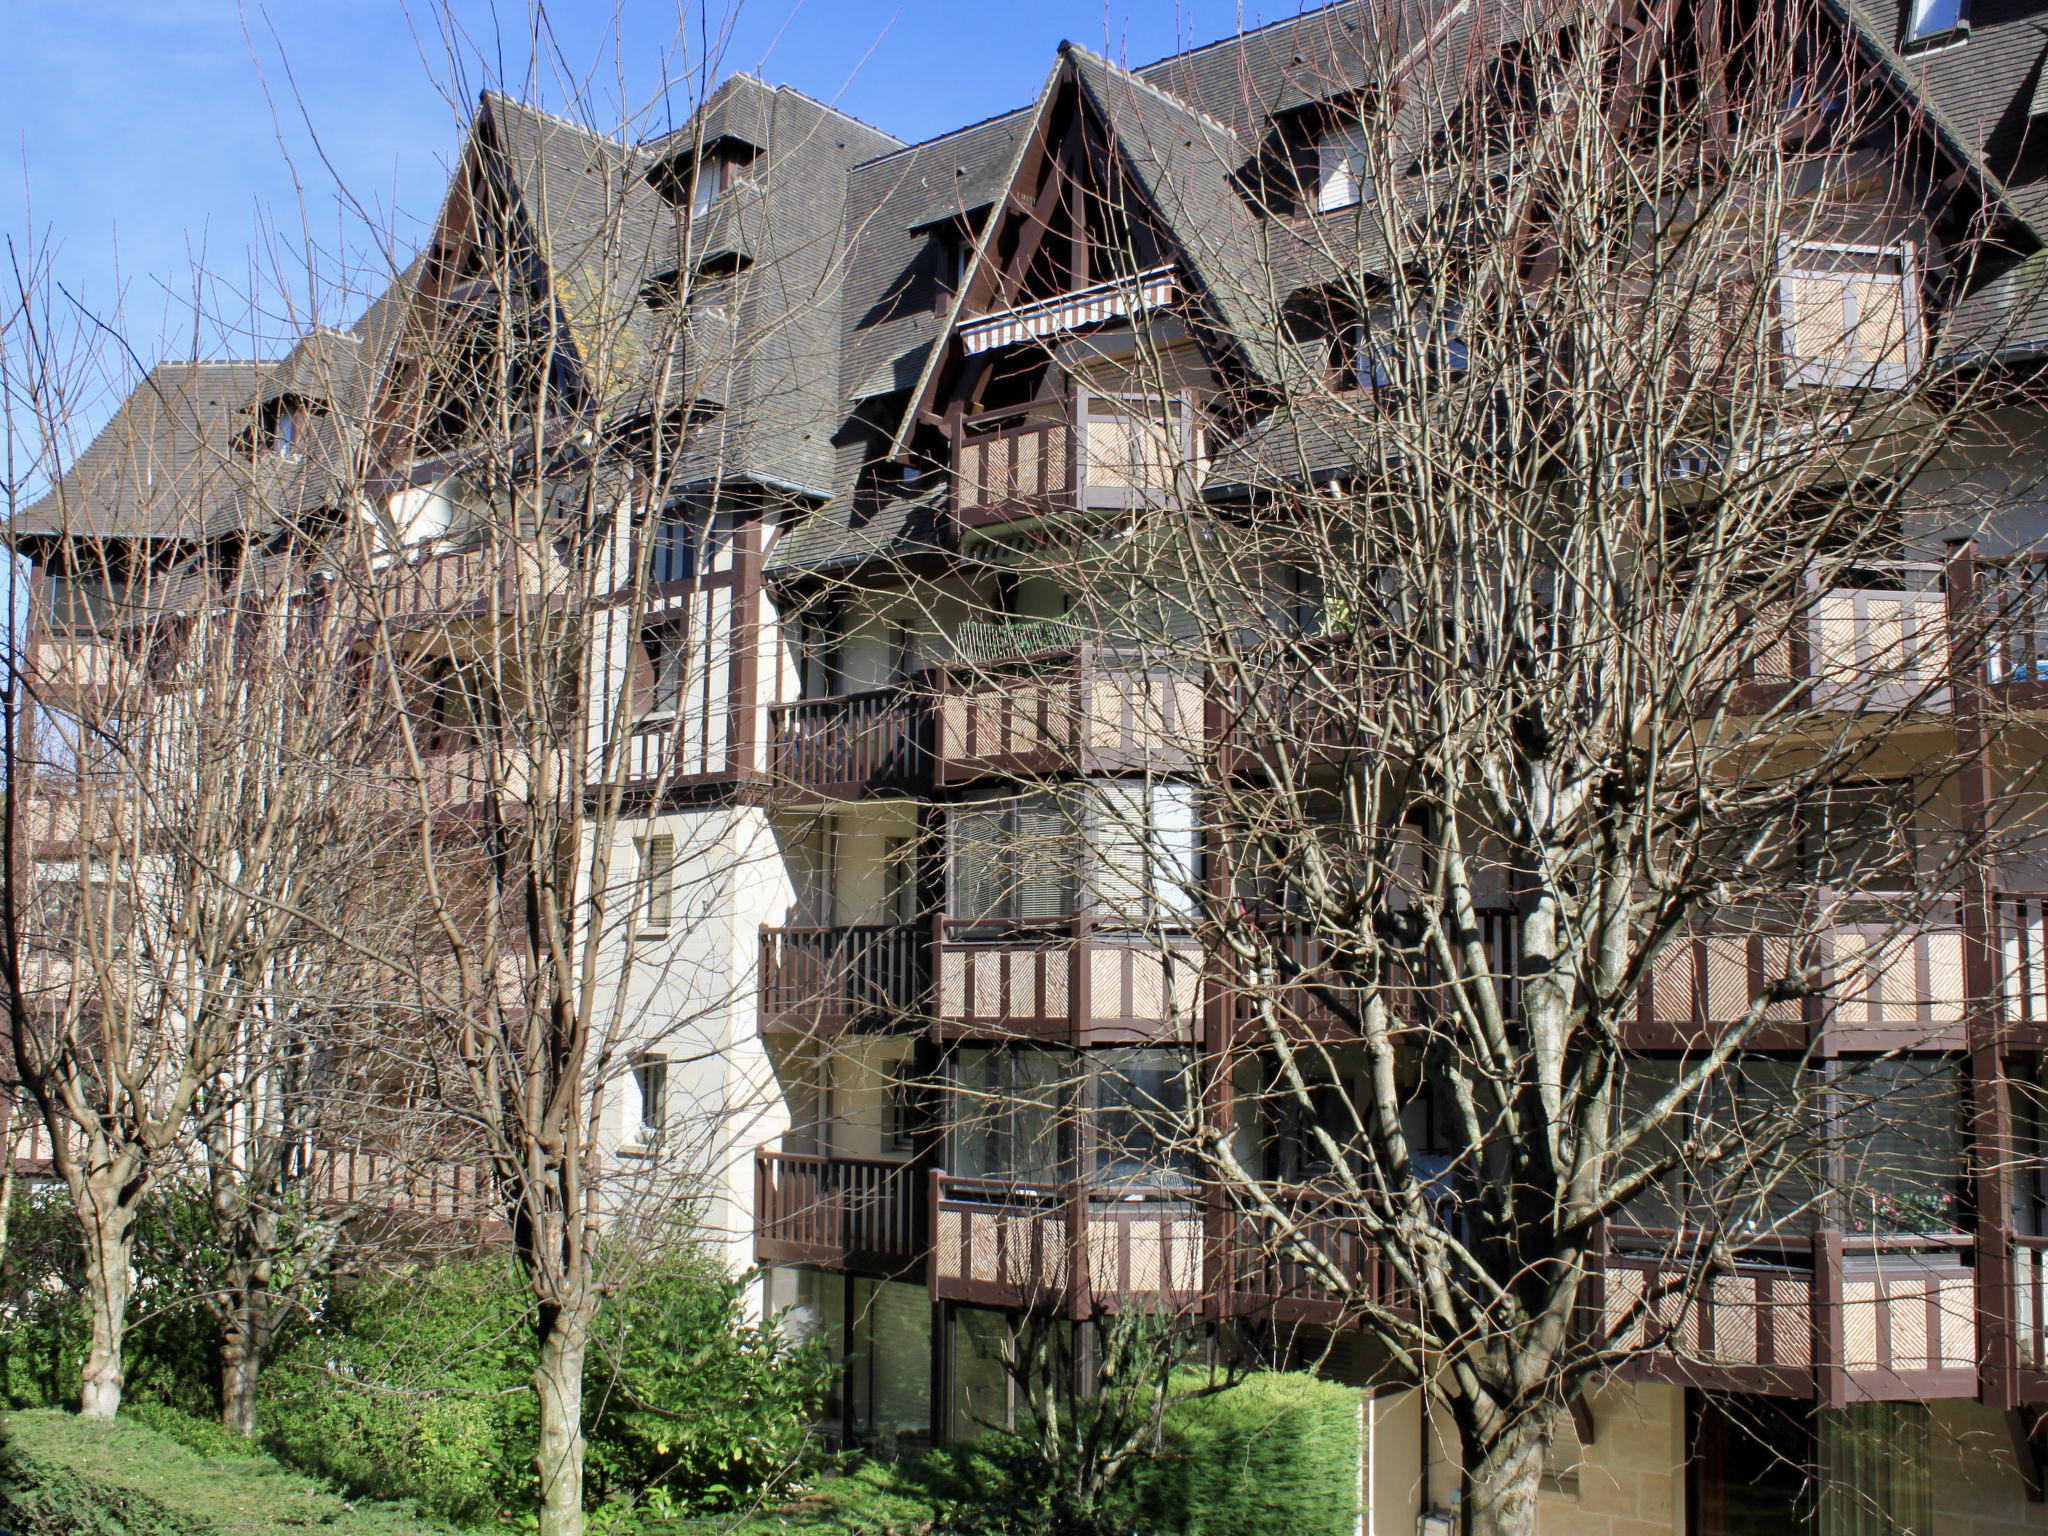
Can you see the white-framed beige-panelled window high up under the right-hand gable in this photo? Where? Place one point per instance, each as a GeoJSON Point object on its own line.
{"type": "Point", "coordinates": [1850, 316]}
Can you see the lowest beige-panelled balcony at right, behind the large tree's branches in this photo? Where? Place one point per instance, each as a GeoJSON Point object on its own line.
{"type": "Point", "coordinates": [1834, 1318]}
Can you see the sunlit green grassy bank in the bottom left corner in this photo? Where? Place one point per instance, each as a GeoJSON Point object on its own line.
{"type": "Point", "coordinates": [62, 1476]}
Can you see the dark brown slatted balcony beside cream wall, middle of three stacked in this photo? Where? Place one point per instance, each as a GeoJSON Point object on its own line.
{"type": "Point", "coordinates": [824, 980]}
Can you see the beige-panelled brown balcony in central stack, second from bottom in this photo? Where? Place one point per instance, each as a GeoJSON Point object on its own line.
{"type": "Point", "coordinates": [1066, 980]}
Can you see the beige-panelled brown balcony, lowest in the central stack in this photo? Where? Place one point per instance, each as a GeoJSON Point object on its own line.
{"type": "Point", "coordinates": [1072, 1246]}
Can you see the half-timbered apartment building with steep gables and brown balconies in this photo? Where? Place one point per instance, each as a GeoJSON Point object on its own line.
{"type": "Point", "coordinates": [859, 708]}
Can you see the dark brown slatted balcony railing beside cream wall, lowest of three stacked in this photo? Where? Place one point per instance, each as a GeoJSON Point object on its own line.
{"type": "Point", "coordinates": [837, 1213]}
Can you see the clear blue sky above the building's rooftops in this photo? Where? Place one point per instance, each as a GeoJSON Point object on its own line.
{"type": "Point", "coordinates": [140, 138]}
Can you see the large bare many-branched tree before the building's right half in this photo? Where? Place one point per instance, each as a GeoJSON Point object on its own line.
{"type": "Point", "coordinates": [1504, 493]}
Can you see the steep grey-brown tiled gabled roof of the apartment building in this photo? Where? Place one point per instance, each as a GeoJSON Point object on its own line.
{"type": "Point", "coordinates": [841, 241]}
